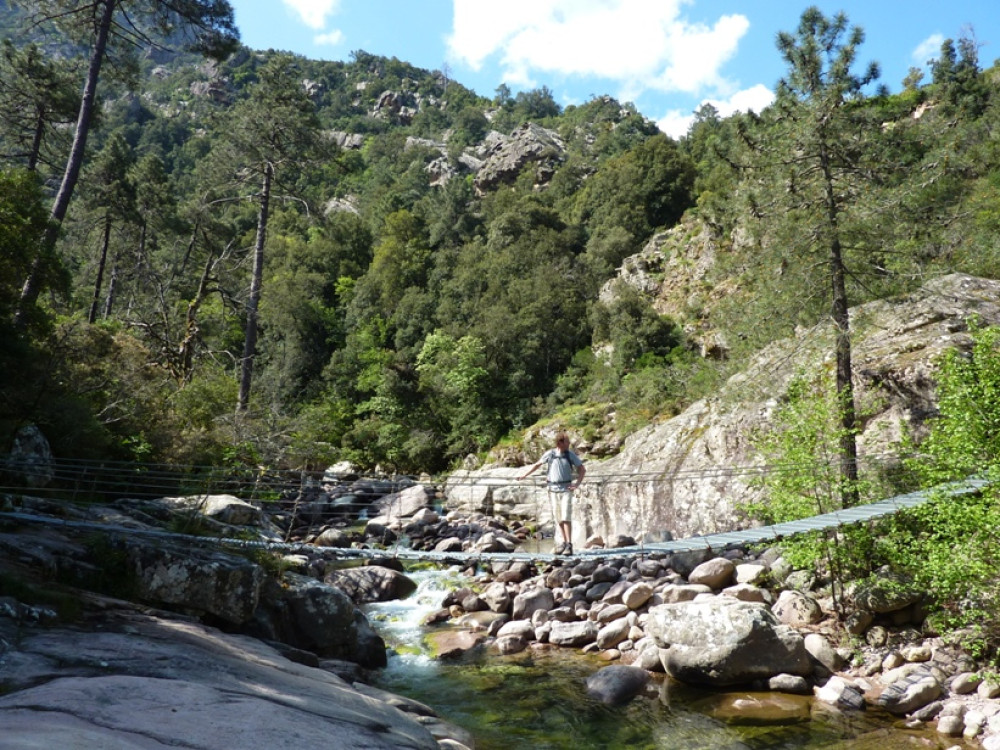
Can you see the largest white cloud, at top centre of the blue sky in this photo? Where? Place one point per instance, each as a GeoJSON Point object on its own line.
{"type": "Point", "coordinates": [641, 44]}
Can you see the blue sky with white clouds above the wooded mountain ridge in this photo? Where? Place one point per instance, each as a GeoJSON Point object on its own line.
{"type": "Point", "coordinates": [667, 57]}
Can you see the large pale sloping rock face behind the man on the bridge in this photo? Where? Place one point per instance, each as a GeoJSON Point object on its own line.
{"type": "Point", "coordinates": [691, 474]}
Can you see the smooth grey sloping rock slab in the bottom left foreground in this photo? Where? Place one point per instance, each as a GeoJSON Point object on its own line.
{"type": "Point", "coordinates": [142, 681]}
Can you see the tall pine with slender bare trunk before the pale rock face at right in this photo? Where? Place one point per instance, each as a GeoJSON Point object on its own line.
{"type": "Point", "coordinates": [813, 156]}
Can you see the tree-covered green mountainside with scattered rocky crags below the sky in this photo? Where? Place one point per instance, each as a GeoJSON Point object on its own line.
{"type": "Point", "coordinates": [276, 260]}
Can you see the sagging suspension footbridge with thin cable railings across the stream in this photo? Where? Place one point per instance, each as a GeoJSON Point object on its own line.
{"type": "Point", "coordinates": [89, 482]}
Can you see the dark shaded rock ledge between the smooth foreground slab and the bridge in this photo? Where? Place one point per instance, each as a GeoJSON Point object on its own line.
{"type": "Point", "coordinates": [204, 581]}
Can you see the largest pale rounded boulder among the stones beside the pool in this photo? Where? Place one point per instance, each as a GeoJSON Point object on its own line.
{"type": "Point", "coordinates": [721, 641]}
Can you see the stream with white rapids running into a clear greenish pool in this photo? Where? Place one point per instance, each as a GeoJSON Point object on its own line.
{"type": "Point", "coordinates": [537, 699]}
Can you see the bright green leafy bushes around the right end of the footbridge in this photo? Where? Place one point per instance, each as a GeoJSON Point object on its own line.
{"type": "Point", "coordinates": [947, 547]}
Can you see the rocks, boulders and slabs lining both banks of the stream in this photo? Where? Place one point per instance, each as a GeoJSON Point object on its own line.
{"type": "Point", "coordinates": [213, 644]}
